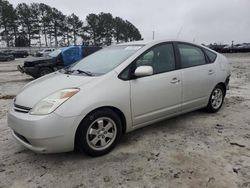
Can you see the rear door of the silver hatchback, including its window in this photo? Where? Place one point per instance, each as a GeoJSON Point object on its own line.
{"type": "Point", "coordinates": [197, 76]}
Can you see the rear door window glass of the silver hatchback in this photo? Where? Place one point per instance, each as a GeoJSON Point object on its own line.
{"type": "Point", "coordinates": [191, 56]}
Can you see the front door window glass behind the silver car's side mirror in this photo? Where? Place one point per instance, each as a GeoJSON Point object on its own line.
{"type": "Point", "coordinates": [161, 58]}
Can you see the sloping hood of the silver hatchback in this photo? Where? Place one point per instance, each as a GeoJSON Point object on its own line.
{"type": "Point", "coordinates": [41, 88]}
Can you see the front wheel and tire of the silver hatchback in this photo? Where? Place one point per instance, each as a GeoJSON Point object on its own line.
{"type": "Point", "coordinates": [101, 127]}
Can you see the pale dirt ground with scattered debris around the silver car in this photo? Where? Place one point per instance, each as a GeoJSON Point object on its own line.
{"type": "Point", "coordinates": [193, 150]}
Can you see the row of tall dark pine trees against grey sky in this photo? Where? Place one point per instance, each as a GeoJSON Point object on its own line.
{"type": "Point", "coordinates": [48, 26]}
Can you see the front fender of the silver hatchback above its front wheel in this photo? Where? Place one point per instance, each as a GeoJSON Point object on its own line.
{"type": "Point", "coordinates": [101, 92]}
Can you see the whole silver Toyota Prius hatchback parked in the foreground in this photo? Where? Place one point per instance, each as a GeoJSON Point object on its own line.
{"type": "Point", "coordinates": [118, 89]}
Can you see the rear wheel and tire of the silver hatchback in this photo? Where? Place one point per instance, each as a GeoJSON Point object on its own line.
{"type": "Point", "coordinates": [216, 99]}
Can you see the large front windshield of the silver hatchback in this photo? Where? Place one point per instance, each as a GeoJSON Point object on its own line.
{"type": "Point", "coordinates": [105, 60]}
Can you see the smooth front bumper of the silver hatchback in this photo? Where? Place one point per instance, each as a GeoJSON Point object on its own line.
{"type": "Point", "coordinates": [43, 134]}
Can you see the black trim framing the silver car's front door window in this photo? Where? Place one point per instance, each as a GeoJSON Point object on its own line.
{"type": "Point", "coordinates": [130, 66]}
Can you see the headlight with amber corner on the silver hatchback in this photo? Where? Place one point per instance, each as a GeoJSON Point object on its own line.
{"type": "Point", "coordinates": [52, 102]}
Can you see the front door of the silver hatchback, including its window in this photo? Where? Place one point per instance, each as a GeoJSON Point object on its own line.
{"type": "Point", "coordinates": [157, 96]}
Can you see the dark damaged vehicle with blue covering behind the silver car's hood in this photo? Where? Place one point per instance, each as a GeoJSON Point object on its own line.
{"type": "Point", "coordinates": [40, 66]}
